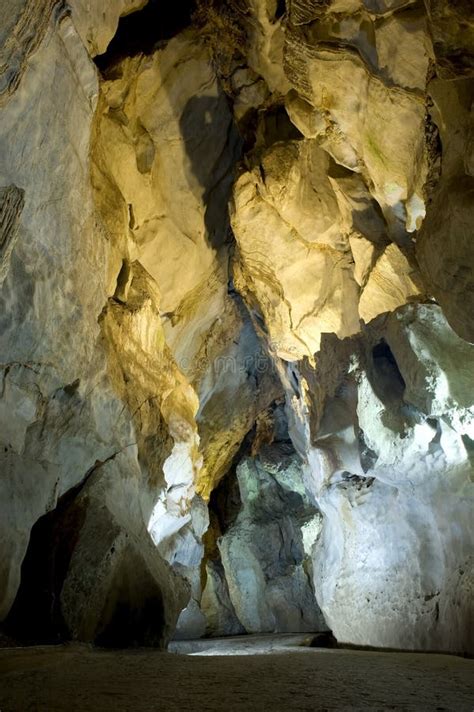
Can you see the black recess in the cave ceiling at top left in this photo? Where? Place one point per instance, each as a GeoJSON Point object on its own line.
{"type": "Point", "coordinates": [142, 32]}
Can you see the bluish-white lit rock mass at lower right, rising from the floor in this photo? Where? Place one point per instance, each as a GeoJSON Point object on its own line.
{"type": "Point", "coordinates": [389, 462]}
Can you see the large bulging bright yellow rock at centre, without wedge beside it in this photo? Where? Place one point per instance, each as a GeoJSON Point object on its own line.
{"type": "Point", "coordinates": [293, 254]}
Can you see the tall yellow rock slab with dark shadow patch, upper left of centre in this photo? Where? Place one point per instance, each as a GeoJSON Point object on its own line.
{"type": "Point", "coordinates": [165, 140]}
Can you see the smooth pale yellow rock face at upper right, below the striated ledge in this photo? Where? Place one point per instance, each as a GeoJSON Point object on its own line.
{"type": "Point", "coordinates": [383, 126]}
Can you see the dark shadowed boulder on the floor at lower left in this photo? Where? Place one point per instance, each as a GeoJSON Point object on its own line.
{"type": "Point", "coordinates": [92, 576]}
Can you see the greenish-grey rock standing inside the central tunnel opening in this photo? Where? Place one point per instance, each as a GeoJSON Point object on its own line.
{"type": "Point", "coordinates": [263, 553]}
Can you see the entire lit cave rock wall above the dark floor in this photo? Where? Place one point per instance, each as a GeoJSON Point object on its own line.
{"type": "Point", "coordinates": [254, 206]}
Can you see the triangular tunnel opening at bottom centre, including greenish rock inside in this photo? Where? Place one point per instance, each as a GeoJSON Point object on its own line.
{"type": "Point", "coordinates": [256, 575]}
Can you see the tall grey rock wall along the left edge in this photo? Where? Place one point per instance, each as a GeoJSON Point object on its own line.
{"type": "Point", "coordinates": [49, 307]}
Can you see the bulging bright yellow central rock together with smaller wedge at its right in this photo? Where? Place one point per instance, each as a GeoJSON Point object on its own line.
{"type": "Point", "coordinates": [296, 219]}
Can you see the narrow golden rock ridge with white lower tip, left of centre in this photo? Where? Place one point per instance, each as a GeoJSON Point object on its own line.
{"type": "Point", "coordinates": [160, 398]}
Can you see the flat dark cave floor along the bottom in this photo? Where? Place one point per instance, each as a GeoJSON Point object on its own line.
{"type": "Point", "coordinates": [222, 677]}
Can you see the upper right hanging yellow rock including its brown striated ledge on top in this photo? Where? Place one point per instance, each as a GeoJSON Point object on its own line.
{"type": "Point", "coordinates": [376, 128]}
